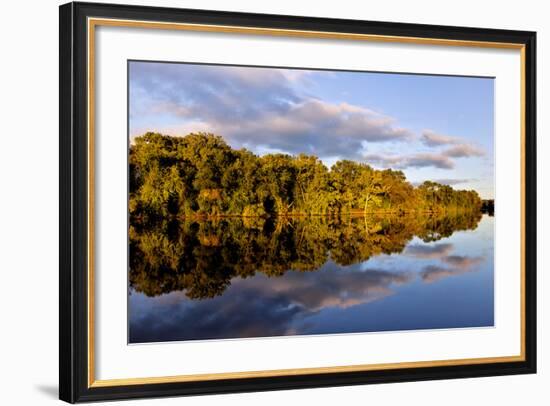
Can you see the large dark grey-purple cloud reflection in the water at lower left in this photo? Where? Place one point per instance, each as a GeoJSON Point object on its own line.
{"type": "Point", "coordinates": [263, 306]}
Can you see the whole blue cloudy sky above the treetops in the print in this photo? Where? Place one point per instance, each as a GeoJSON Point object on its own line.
{"type": "Point", "coordinates": [438, 128]}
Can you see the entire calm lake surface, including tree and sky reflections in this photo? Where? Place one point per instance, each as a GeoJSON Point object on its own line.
{"type": "Point", "coordinates": [237, 278]}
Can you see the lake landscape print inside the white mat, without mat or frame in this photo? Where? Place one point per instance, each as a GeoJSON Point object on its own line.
{"type": "Point", "coordinates": [267, 201]}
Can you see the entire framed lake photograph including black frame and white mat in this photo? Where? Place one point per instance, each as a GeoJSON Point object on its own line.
{"type": "Point", "coordinates": [257, 202]}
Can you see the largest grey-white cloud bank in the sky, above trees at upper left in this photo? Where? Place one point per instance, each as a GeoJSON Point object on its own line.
{"type": "Point", "coordinates": [256, 107]}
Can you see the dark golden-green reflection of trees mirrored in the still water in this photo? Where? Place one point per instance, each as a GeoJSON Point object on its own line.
{"type": "Point", "coordinates": [201, 257]}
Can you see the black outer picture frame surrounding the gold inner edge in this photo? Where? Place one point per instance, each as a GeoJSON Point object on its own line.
{"type": "Point", "coordinates": [74, 200]}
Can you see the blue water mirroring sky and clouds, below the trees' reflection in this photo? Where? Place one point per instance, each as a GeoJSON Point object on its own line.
{"type": "Point", "coordinates": [443, 284]}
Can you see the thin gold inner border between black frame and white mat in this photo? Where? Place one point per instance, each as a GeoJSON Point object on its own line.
{"type": "Point", "coordinates": [93, 22]}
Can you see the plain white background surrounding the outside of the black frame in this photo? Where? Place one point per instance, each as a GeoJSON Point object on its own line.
{"type": "Point", "coordinates": [29, 203]}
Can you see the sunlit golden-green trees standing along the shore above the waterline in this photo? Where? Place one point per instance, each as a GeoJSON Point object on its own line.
{"type": "Point", "coordinates": [201, 175]}
